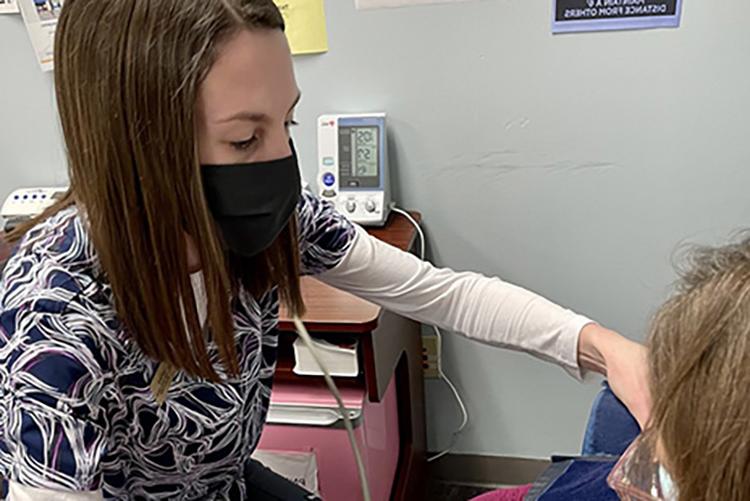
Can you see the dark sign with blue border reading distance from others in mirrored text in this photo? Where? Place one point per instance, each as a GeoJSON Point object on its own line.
{"type": "Point", "coordinates": [604, 15]}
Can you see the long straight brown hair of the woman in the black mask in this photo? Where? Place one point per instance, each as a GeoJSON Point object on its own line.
{"type": "Point", "coordinates": [127, 74]}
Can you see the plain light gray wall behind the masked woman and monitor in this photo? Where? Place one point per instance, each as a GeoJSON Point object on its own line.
{"type": "Point", "coordinates": [573, 165]}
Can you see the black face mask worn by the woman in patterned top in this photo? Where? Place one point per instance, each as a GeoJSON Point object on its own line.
{"type": "Point", "coordinates": [252, 203]}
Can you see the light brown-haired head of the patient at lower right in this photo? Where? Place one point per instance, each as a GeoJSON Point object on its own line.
{"type": "Point", "coordinates": [700, 376]}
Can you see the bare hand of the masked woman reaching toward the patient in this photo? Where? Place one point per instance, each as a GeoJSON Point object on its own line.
{"type": "Point", "coordinates": [623, 362]}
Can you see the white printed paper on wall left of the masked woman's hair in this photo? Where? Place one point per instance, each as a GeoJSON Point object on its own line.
{"type": "Point", "coordinates": [40, 17]}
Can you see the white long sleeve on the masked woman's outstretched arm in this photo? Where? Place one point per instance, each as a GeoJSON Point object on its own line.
{"type": "Point", "coordinates": [485, 309]}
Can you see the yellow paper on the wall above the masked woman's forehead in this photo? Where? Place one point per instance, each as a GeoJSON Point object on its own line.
{"type": "Point", "coordinates": [305, 25]}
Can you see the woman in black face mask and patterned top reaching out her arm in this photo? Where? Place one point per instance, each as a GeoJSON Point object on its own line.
{"type": "Point", "coordinates": [138, 315]}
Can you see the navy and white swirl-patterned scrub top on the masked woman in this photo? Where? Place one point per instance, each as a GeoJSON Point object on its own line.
{"type": "Point", "coordinates": [76, 408]}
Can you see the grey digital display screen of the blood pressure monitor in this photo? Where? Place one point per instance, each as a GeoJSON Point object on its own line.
{"type": "Point", "coordinates": [359, 156]}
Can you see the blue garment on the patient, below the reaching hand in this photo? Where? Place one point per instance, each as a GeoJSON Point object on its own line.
{"type": "Point", "coordinates": [610, 430]}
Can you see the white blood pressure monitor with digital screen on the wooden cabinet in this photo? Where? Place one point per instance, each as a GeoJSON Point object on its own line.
{"type": "Point", "coordinates": [353, 166]}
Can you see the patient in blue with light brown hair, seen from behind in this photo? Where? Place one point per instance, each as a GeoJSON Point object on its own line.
{"type": "Point", "coordinates": [696, 445]}
